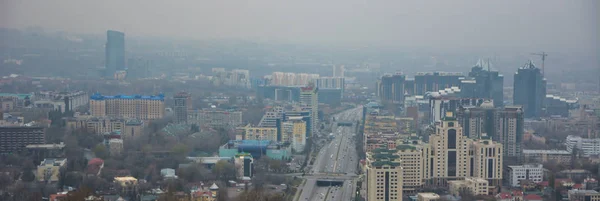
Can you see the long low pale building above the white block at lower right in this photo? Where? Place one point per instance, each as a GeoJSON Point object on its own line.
{"type": "Point", "coordinates": [544, 156]}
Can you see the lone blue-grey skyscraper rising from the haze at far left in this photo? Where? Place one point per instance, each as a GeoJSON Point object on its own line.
{"type": "Point", "coordinates": [114, 52]}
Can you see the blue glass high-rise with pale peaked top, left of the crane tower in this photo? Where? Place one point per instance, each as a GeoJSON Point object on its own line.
{"type": "Point", "coordinates": [488, 82]}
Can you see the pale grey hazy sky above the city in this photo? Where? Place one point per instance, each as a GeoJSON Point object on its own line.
{"type": "Point", "coordinates": [443, 23]}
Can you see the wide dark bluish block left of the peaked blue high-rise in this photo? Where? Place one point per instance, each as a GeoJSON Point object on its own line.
{"type": "Point", "coordinates": [434, 81]}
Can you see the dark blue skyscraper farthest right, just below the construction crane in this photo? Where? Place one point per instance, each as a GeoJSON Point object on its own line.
{"type": "Point", "coordinates": [529, 90]}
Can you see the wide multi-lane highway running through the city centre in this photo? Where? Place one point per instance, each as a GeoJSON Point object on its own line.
{"type": "Point", "coordinates": [337, 156]}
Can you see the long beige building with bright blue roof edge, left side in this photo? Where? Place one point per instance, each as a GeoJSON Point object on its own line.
{"type": "Point", "coordinates": [136, 106]}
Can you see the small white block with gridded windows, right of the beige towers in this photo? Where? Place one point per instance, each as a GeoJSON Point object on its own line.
{"type": "Point", "coordinates": [530, 172]}
